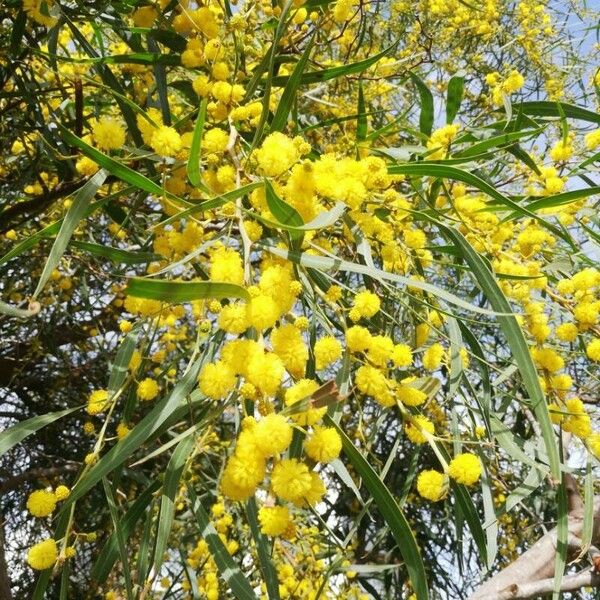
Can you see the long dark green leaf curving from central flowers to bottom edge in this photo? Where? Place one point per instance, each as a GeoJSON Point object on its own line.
{"type": "Point", "coordinates": [390, 511]}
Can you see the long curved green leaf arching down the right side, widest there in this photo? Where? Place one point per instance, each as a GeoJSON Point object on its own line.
{"type": "Point", "coordinates": [516, 342]}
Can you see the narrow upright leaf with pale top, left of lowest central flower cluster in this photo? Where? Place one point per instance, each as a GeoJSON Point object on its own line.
{"type": "Point", "coordinates": [170, 488]}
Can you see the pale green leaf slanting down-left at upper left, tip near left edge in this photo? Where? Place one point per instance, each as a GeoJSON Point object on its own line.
{"type": "Point", "coordinates": [74, 215]}
